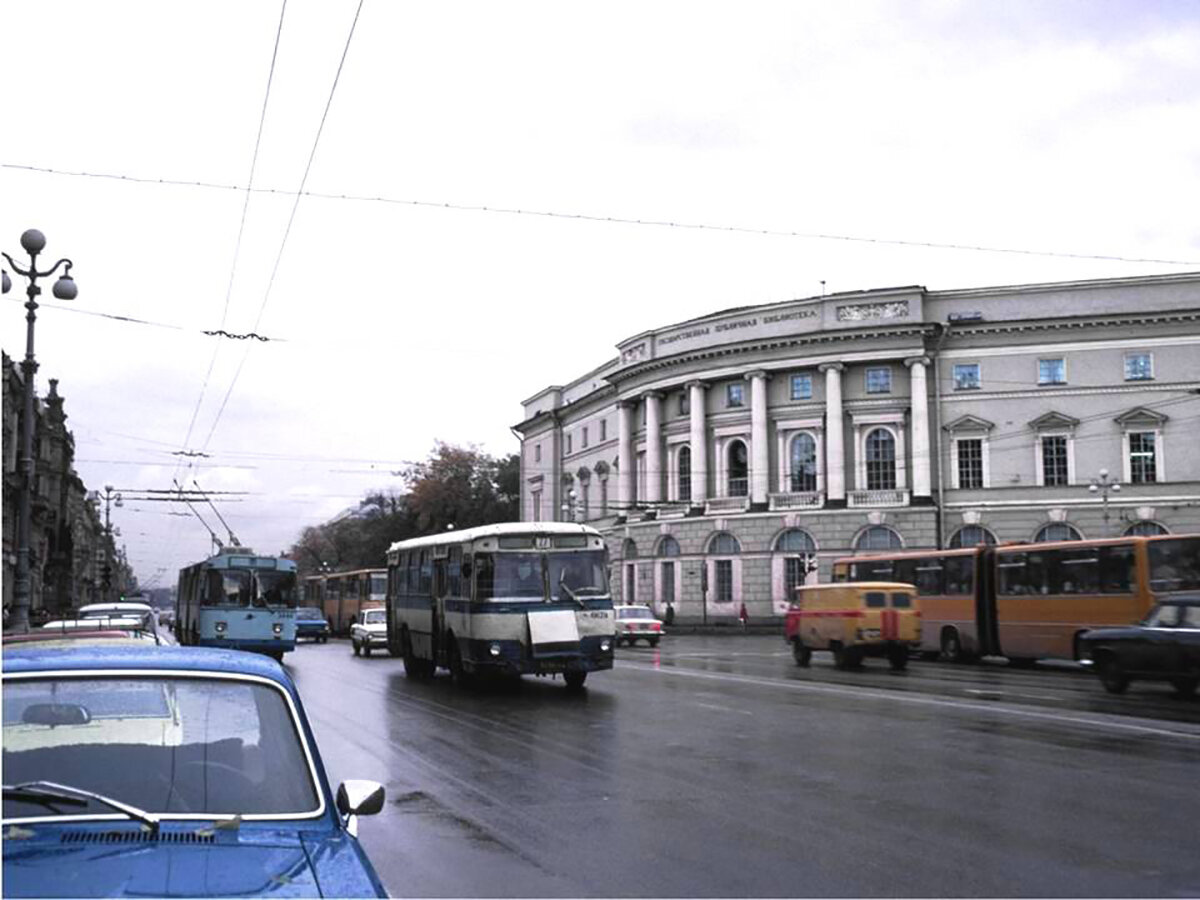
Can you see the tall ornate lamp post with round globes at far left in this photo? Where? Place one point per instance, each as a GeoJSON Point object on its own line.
{"type": "Point", "coordinates": [34, 243]}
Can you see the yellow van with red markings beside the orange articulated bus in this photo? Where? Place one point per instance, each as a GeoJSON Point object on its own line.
{"type": "Point", "coordinates": [871, 619]}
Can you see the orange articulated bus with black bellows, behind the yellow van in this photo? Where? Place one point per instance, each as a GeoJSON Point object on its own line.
{"type": "Point", "coordinates": [1030, 602]}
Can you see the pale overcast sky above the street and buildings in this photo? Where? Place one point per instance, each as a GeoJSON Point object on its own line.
{"type": "Point", "coordinates": [1065, 129]}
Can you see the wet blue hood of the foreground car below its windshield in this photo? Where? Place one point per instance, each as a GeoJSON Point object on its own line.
{"type": "Point", "coordinates": [58, 861]}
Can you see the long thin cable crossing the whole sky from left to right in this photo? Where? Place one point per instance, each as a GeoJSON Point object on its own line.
{"type": "Point", "coordinates": [620, 220]}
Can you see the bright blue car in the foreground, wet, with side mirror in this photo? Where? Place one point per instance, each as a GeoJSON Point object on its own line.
{"type": "Point", "coordinates": [140, 771]}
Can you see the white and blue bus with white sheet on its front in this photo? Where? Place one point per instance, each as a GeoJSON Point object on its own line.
{"type": "Point", "coordinates": [519, 598]}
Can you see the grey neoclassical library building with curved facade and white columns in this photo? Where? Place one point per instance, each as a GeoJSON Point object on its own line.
{"type": "Point", "coordinates": [735, 455]}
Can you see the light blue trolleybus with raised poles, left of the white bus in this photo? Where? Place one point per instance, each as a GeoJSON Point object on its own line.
{"type": "Point", "coordinates": [239, 601]}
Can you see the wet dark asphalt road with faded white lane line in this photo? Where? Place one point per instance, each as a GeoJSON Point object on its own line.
{"type": "Point", "coordinates": [715, 767]}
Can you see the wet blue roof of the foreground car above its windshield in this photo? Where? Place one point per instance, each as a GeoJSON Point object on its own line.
{"type": "Point", "coordinates": [101, 656]}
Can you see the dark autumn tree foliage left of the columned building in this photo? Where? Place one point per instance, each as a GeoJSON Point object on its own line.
{"type": "Point", "coordinates": [457, 485]}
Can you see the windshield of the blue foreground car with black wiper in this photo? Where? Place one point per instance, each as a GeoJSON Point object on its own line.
{"type": "Point", "coordinates": [166, 746]}
